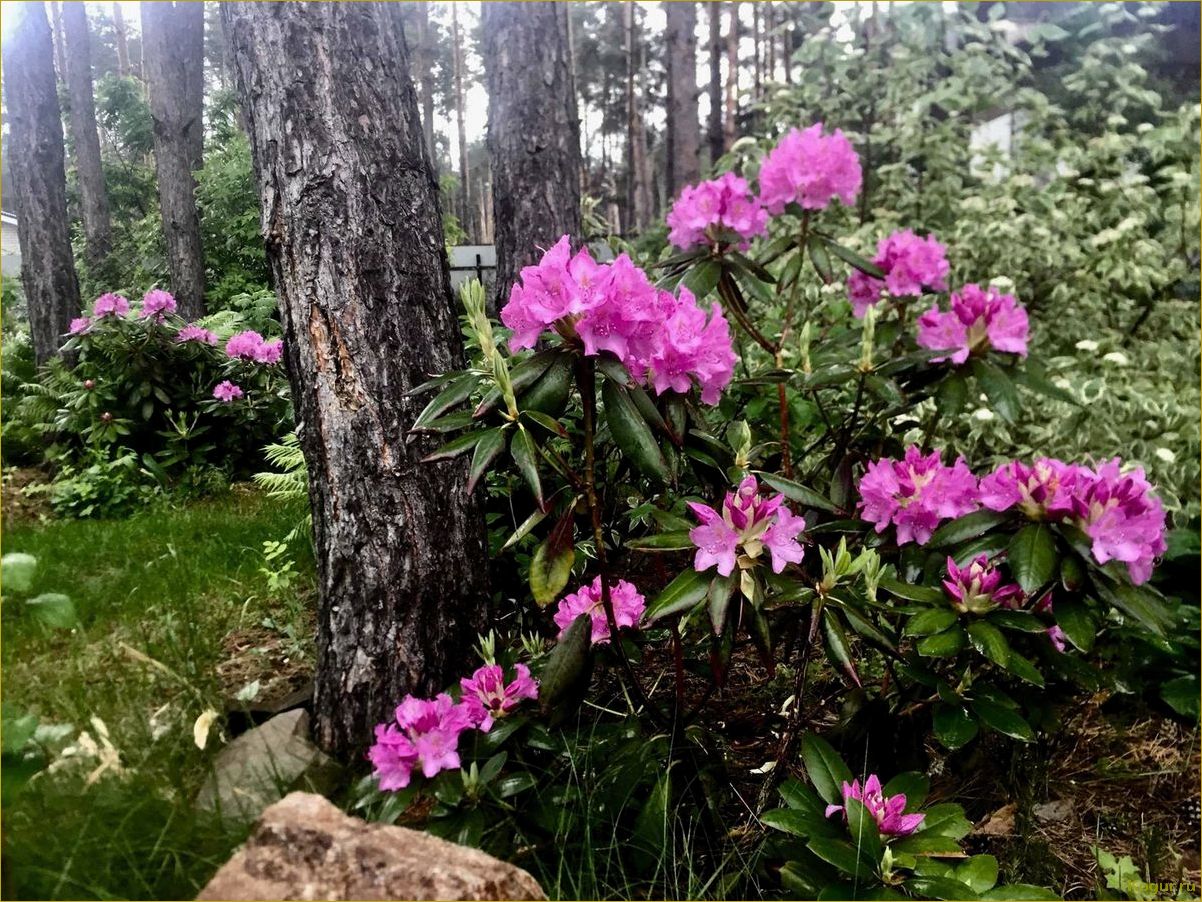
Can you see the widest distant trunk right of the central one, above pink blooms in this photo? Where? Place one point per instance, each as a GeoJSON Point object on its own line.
{"type": "Point", "coordinates": [683, 127]}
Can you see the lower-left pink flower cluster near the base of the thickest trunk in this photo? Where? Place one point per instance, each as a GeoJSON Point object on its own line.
{"type": "Point", "coordinates": [426, 735]}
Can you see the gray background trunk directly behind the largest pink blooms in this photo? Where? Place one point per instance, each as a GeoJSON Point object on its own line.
{"type": "Point", "coordinates": [533, 135]}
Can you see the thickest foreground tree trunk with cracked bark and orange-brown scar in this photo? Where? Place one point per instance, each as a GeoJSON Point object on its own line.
{"type": "Point", "coordinates": [350, 213]}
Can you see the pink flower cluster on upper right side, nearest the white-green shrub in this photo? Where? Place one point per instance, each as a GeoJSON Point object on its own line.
{"type": "Point", "coordinates": [980, 319]}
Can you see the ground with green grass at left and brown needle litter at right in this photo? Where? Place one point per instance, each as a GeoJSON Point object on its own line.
{"type": "Point", "coordinates": [178, 616]}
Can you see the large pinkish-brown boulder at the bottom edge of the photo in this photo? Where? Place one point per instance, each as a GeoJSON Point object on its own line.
{"type": "Point", "coordinates": [306, 848]}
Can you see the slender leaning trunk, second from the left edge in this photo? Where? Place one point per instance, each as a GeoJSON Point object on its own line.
{"type": "Point", "coordinates": [90, 173]}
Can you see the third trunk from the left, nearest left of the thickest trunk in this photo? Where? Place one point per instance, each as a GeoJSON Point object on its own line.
{"type": "Point", "coordinates": [169, 55]}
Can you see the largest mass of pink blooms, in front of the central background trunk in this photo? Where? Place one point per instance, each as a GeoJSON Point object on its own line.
{"type": "Point", "coordinates": [663, 339]}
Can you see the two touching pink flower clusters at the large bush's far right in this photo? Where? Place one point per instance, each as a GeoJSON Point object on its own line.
{"type": "Point", "coordinates": [1117, 511]}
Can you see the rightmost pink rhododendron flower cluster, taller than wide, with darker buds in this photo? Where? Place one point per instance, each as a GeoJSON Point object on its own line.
{"type": "Point", "coordinates": [1123, 518]}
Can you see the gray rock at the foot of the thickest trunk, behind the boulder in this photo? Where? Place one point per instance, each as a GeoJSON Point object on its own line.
{"type": "Point", "coordinates": [265, 764]}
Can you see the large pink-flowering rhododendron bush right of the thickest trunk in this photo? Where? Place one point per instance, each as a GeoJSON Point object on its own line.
{"type": "Point", "coordinates": [743, 454]}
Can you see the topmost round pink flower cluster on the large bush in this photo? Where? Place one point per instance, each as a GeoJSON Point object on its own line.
{"type": "Point", "coordinates": [811, 169]}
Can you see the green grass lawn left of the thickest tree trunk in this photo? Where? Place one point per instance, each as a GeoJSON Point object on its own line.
{"type": "Point", "coordinates": [158, 596]}
